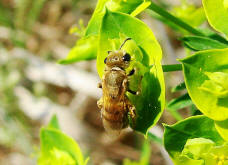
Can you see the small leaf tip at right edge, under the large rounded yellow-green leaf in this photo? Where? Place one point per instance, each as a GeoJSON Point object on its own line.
{"type": "Point", "coordinates": [222, 128]}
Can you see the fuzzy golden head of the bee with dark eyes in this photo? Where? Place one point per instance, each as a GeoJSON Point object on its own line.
{"type": "Point", "coordinates": [118, 58]}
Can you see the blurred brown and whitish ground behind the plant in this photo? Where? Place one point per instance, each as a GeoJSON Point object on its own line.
{"type": "Point", "coordinates": [34, 35]}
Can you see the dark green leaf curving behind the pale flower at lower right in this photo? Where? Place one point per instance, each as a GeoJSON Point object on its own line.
{"type": "Point", "coordinates": [176, 136]}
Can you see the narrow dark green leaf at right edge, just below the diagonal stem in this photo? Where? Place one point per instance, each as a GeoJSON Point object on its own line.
{"type": "Point", "coordinates": [202, 43]}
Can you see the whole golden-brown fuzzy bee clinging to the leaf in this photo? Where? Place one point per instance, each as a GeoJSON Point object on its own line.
{"type": "Point", "coordinates": [114, 104]}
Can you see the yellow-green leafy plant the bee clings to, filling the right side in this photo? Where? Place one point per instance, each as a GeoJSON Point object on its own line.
{"type": "Point", "coordinates": [195, 140]}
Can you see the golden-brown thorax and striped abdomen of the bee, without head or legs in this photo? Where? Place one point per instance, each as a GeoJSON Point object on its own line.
{"type": "Point", "coordinates": [114, 112]}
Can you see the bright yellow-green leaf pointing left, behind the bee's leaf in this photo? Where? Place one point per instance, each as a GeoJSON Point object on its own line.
{"type": "Point", "coordinates": [85, 49]}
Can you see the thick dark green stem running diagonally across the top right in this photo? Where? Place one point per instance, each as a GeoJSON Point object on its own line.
{"type": "Point", "coordinates": [157, 9]}
